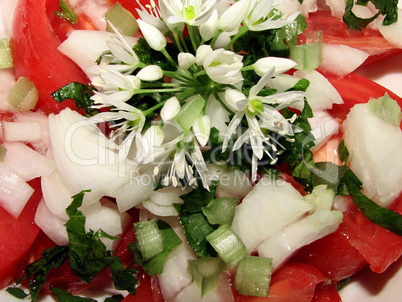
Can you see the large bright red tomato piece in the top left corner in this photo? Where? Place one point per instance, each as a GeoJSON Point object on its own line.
{"type": "Point", "coordinates": [35, 55]}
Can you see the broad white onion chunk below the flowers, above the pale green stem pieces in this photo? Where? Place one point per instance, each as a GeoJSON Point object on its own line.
{"type": "Point", "coordinates": [267, 209]}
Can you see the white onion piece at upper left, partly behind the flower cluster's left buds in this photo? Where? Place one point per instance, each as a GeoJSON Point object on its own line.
{"type": "Point", "coordinates": [85, 46]}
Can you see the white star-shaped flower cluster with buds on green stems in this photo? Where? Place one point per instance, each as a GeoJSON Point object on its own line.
{"type": "Point", "coordinates": [206, 70]}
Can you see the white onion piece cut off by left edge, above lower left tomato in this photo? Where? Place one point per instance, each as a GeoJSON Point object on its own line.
{"type": "Point", "coordinates": [14, 191]}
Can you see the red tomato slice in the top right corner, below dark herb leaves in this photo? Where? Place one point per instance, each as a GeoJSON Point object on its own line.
{"type": "Point", "coordinates": [335, 31]}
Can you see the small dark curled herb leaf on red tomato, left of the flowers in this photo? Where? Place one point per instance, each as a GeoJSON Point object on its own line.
{"type": "Point", "coordinates": [78, 92]}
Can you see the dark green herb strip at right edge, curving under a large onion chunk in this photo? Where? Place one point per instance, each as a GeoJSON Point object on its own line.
{"type": "Point", "coordinates": [381, 216]}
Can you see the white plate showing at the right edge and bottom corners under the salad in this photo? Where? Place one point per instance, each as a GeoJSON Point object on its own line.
{"type": "Point", "coordinates": [366, 286]}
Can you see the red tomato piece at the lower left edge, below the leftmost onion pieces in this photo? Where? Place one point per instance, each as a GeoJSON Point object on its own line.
{"type": "Point", "coordinates": [17, 236]}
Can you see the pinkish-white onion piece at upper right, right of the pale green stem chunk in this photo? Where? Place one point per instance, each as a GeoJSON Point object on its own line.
{"type": "Point", "coordinates": [341, 59]}
